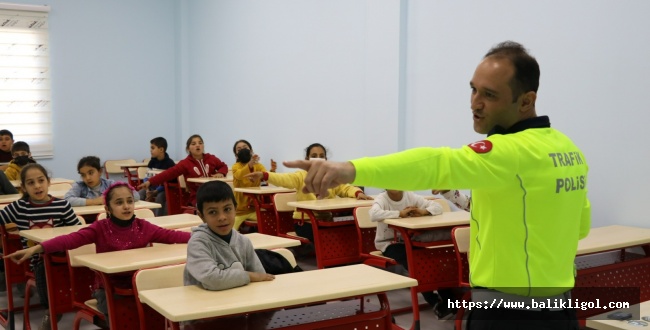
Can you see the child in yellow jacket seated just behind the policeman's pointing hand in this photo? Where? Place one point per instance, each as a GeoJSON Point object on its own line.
{"type": "Point", "coordinates": [296, 180]}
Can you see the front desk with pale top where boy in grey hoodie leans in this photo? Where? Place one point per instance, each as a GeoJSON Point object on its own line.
{"type": "Point", "coordinates": [186, 303]}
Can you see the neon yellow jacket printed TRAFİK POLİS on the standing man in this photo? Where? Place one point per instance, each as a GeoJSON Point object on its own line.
{"type": "Point", "coordinates": [529, 203]}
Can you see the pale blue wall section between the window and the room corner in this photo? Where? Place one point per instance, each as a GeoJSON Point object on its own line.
{"type": "Point", "coordinates": [113, 79]}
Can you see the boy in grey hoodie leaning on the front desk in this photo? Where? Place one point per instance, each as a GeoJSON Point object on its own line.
{"type": "Point", "coordinates": [219, 258]}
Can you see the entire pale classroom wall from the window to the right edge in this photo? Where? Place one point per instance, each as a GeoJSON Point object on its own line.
{"type": "Point", "coordinates": [286, 73]}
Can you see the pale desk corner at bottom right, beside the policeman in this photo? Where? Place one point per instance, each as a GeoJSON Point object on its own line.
{"type": "Point", "coordinates": [637, 321]}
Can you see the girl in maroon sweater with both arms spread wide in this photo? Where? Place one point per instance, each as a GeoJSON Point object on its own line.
{"type": "Point", "coordinates": [120, 231]}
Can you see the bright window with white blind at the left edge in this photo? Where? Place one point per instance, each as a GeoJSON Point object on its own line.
{"type": "Point", "coordinates": [25, 107]}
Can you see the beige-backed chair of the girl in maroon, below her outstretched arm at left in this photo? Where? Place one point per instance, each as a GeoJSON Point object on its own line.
{"type": "Point", "coordinates": [82, 280]}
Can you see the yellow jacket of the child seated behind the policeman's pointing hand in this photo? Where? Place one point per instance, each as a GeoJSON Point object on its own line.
{"type": "Point", "coordinates": [296, 180]}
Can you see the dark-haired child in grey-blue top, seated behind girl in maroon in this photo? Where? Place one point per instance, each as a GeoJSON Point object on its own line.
{"type": "Point", "coordinates": [89, 190]}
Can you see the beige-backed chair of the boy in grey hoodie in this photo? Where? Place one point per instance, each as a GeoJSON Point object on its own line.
{"type": "Point", "coordinates": [155, 278]}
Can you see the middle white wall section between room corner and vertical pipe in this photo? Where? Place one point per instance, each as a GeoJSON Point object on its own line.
{"type": "Point", "coordinates": [285, 74]}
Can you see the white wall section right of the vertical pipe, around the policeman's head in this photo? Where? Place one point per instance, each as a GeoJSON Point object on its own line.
{"type": "Point", "coordinates": [594, 62]}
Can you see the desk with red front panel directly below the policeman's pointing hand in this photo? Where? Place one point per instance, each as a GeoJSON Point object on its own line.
{"type": "Point", "coordinates": [335, 242]}
